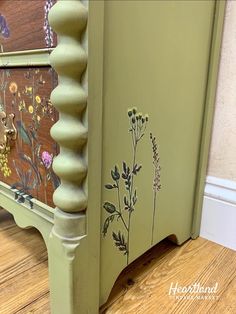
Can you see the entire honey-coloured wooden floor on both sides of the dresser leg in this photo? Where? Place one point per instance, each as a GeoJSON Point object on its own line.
{"type": "Point", "coordinates": [142, 289]}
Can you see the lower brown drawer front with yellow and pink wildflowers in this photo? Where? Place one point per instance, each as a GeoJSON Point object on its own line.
{"type": "Point", "coordinates": [27, 167]}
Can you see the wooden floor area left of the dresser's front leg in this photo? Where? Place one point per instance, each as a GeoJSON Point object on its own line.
{"type": "Point", "coordinates": [23, 269]}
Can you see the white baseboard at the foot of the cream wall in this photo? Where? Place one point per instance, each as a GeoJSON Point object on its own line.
{"type": "Point", "coordinates": [219, 212]}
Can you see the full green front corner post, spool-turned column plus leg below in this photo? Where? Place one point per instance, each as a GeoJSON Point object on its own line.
{"type": "Point", "coordinates": [72, 286]}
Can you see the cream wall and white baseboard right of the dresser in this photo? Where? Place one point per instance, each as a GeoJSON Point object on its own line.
{"type": "Point", "coordinates": [219, 207]}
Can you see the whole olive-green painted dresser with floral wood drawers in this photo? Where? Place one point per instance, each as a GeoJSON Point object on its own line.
{"type": "Point", "coordinates": [114, 160]}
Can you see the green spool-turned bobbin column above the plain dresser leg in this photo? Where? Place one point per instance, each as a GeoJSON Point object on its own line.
{"type": "Point", "coordinates": [68, 19]}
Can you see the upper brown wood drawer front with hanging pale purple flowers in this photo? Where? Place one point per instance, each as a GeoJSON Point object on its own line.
{"type": "Point", "coordinates": [24, 25]}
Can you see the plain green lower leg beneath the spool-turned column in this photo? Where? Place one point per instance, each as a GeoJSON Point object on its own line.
{"type": "Point", "coordinates": [72, 290]}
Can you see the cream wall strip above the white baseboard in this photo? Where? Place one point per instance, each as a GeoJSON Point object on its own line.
{"type": "Point", "coordinates": [222, 161]}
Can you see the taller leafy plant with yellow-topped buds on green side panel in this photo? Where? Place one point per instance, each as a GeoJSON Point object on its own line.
{"type": "Point", "coordinates": [122, 211]}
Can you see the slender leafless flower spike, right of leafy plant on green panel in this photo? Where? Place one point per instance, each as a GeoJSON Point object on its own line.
{"type": "Point", "coordinates": [156, 178]}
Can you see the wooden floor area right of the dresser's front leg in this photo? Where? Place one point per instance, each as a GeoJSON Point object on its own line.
{"type": "Point", "coordinates": [145, 288]}
